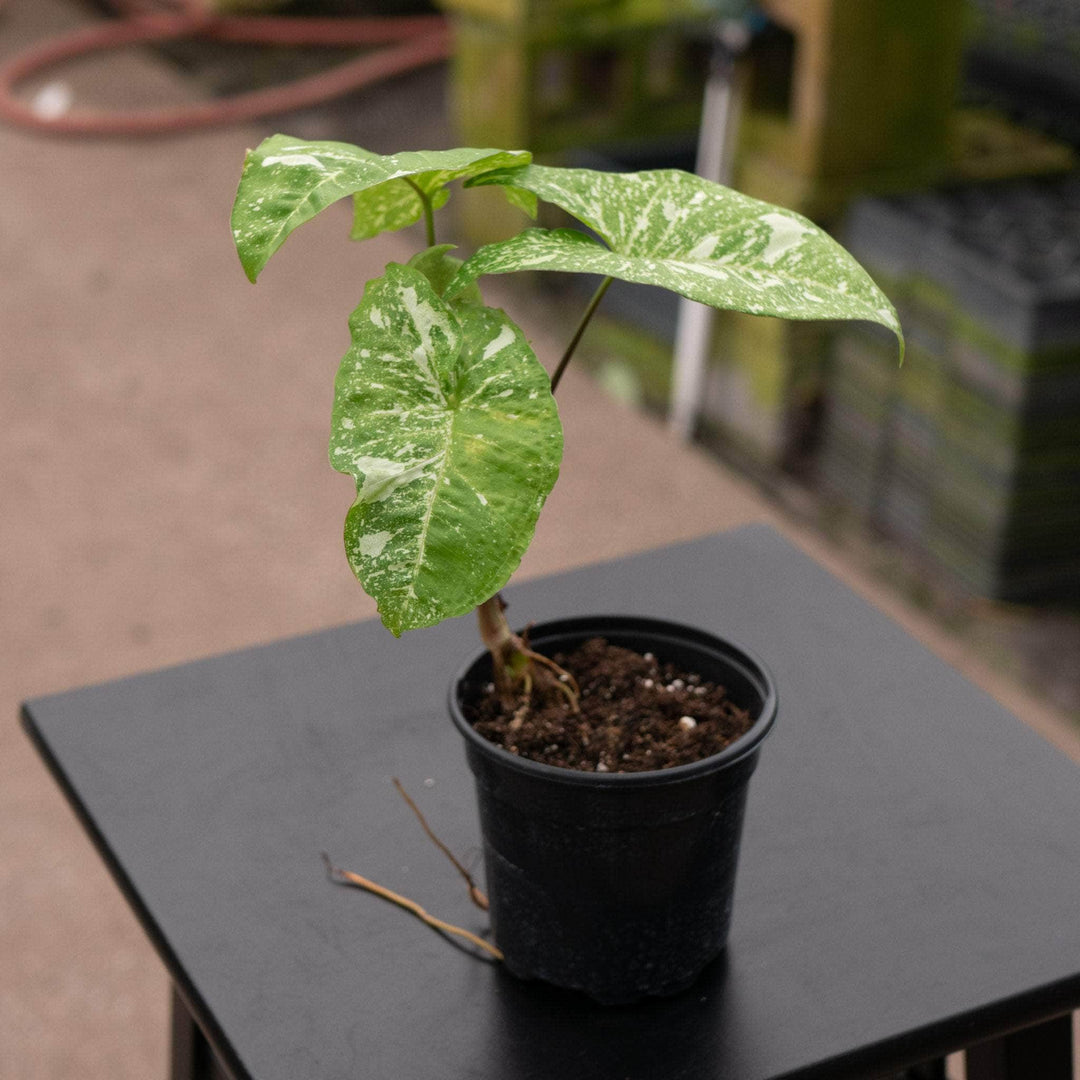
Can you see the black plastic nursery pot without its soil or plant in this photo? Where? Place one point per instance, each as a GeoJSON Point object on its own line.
{"type": "Point", "coordinates": [619, 885]}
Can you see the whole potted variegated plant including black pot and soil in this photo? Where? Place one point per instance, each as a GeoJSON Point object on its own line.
{"type": "Point", "coordinates": [611, 840]}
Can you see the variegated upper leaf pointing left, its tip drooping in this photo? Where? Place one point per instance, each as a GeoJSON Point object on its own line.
{"type": "Point", "coordinates": [288, 182]}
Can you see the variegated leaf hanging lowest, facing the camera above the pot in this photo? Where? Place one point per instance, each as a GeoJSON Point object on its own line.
{"type": "Point", "coordinates": [445, 418]}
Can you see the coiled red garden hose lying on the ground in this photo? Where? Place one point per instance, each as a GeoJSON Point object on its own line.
{"type": "Point", "coordinates": [411, 43]}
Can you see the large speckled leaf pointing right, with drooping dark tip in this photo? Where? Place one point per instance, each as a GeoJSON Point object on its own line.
{"type": "Point", "coordinates": [699, 239]}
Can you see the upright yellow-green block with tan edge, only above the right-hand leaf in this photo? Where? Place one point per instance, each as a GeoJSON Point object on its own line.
{"type": "Point", "coordinates": [847, 98]}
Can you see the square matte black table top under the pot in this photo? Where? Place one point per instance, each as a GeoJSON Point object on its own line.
{"type": "Point", "coordinates": [910, 881]}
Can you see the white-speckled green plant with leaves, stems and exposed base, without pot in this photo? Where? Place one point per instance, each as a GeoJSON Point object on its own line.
{"type": "Point", "coordinates": [442, 412]}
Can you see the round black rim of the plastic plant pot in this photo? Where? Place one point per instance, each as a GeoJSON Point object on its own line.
{"type": "Point", "coordinates": [751, 666]}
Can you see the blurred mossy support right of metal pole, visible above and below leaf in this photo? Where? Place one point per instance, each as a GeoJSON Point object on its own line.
{"type": "Point", "coordinates": [843, 100]}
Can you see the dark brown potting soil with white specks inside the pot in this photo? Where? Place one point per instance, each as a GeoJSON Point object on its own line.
{"type": "Point", "coordinates": [637, 715]}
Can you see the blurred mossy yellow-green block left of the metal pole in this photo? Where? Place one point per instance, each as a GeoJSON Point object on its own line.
{"type": "Point", "coordinates": [555, 76]}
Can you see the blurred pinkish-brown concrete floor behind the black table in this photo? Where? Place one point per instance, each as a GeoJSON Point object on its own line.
{"type": "Point", "coordinates": [166, 496]}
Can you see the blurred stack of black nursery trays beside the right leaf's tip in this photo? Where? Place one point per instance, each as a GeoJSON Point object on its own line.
{"type": "Point", "coordinates": [969, 455]}
